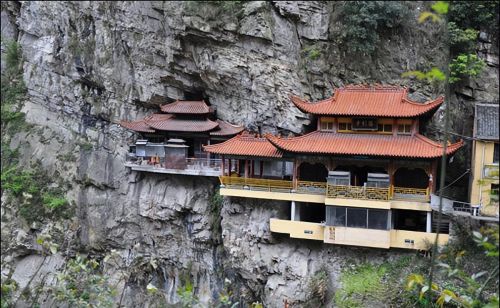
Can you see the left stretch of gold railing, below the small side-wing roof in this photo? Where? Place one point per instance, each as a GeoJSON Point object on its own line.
{"type": "Point", "coordinates": [256, 184]}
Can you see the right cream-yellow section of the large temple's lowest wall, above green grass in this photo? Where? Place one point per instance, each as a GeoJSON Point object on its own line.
{"type": "Point", "coordinates": [421, 240]}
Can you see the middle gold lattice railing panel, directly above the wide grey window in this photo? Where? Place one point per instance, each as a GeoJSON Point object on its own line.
{"type": "Point", "coordinates": [357, 192]}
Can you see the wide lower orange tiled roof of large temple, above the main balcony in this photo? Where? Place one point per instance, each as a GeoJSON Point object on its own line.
{"type": "Point", "coordinates": [318, 142]}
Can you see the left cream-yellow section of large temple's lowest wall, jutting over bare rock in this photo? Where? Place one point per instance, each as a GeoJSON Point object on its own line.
{"type": "Point", "coordinates": [297, 229]}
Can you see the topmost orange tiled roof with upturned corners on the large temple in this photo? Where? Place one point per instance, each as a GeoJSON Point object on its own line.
{"type": "Point", "coordinates": [380, 101]}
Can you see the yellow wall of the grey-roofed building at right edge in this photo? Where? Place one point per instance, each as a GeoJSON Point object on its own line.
{"type": "Point", "coordinates": [480, 189]}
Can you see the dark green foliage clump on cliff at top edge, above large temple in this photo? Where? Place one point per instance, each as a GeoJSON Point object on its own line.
{"type": "Point", "coordinates": [364, 21]}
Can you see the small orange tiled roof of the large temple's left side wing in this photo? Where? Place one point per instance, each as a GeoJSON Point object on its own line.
{"type": "Point", "coordinates": [245, 145]}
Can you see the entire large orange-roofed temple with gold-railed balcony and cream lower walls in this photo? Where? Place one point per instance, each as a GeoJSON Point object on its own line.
{"type": "Point", "coordinates": [363, 177]}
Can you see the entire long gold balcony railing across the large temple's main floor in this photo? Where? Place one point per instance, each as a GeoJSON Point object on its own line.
{"type": "Point", "coordinates": [330, 191]}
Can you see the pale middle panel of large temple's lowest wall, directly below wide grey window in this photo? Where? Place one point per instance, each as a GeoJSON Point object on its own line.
{"type": "Point", "coordinates": [358, 237]}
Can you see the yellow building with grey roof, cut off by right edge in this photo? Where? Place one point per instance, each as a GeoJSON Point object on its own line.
{"type": "Point", "coordinates": [485, 157]}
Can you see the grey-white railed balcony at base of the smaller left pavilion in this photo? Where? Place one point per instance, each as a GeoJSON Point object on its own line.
{"type": "Point", "coordinates": [185, 166]}
